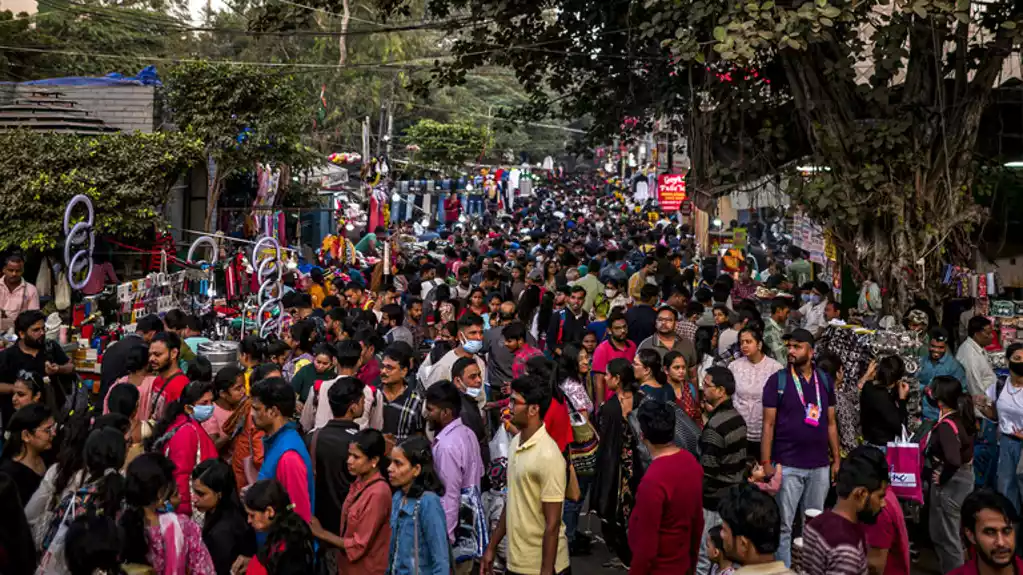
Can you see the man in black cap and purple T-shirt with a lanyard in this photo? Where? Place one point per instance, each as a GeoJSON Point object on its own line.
{"type": "Point", "coordinates": [799, 429]}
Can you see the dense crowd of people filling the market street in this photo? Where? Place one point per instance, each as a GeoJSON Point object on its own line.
{"type": "Point", "coordinates": [515, 375]}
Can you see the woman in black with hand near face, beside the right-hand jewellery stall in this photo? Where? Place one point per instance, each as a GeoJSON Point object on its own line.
{"type": "Point", "coordinates": [883, 403]}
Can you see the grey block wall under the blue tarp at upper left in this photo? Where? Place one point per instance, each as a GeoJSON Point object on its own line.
{"type": "Point", "coordinates": [127, 108]}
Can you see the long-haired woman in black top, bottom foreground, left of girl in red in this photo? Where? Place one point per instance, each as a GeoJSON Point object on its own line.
{"type": "Point", "coordinates": [226, 529]}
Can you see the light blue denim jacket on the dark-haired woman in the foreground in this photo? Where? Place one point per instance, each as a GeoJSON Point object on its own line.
{"type": "Point", "coordinates": [432, 540]}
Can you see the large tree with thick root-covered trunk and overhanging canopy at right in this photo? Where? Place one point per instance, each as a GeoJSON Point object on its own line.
{"type": "Point", "coordinates": [884, 98]}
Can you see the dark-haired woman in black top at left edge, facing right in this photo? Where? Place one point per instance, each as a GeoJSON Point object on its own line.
{"type": "Point", "coordinates": [31, 434]}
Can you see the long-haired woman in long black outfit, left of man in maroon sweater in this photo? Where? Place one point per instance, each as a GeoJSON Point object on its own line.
{"type": "Point", "coordinates": [620, 458]}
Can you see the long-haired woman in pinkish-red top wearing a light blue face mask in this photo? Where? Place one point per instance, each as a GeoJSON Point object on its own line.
{"type": "Point", "coordinates": [181, 436]}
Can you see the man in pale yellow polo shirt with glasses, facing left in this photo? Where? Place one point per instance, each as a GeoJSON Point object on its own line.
{"type": "Point", "coordinates": [537, 481]}
